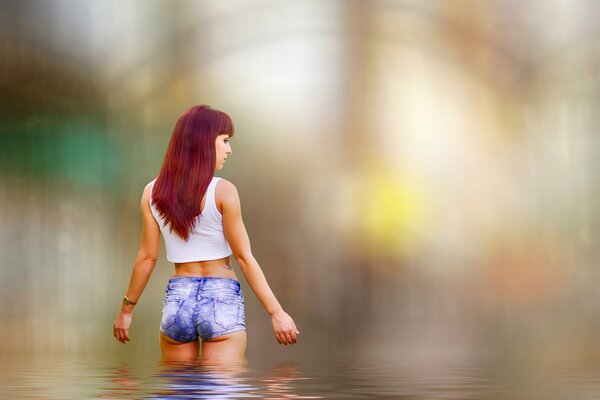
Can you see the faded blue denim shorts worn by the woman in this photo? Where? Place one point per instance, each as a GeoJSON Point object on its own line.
{"type": "Point", "coordinates": [204, 307]}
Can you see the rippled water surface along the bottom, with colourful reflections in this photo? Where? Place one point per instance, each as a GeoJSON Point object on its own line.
{"type": "Point", "coordinates": [351, 379]}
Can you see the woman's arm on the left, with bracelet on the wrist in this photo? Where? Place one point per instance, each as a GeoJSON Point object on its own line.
{"type": "Point", "coordinates": [142, 268]}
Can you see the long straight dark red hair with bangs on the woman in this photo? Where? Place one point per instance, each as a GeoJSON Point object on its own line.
{"type": "Point", "coordinates": [189, 166]}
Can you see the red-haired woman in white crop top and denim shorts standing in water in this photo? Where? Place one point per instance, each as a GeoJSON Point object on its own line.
{"type": "Point", "coordinates": [203, 298]}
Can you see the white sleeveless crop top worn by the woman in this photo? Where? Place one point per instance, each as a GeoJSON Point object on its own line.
{"type": "Point", "coordinates": [206, 241]}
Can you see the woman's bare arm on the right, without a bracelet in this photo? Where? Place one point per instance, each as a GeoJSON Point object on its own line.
{"type": "Point", "coordinates": [283, 325]}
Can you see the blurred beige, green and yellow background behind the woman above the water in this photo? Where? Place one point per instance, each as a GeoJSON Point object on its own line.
{"type": "Point", "coordinates": [419, 179]}
